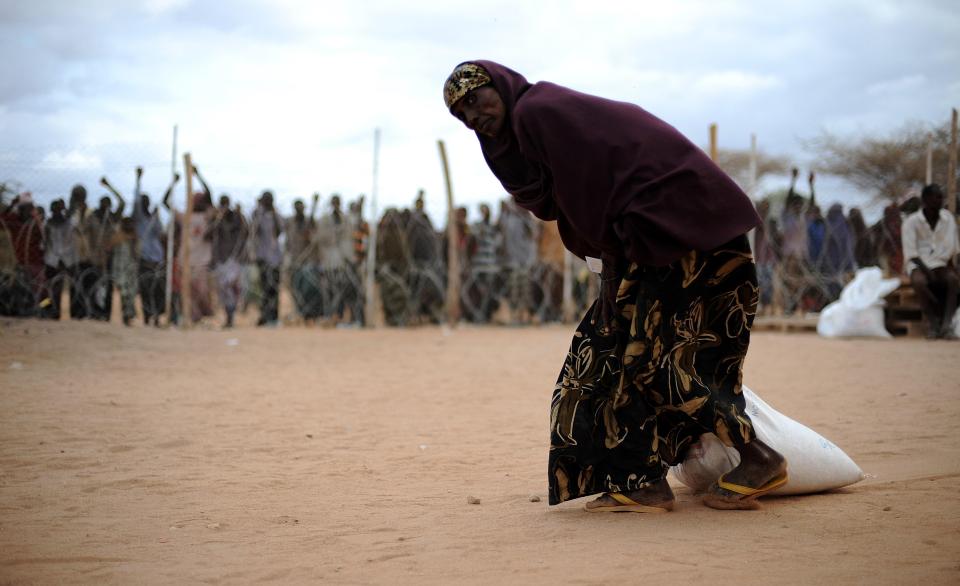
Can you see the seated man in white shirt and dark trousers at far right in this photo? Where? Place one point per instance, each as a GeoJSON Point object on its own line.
{"type": "Point", "coordinates": [930, 244]}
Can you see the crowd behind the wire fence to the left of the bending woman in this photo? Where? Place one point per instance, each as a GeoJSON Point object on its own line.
{"type": "Point", "coordinates": [240, 260]}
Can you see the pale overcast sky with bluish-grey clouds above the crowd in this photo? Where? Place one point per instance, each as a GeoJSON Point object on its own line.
{"type": "Point", "coordinates": [285, 94]}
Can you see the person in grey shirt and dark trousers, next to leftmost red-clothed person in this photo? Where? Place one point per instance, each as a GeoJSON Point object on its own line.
{"type": "Point", "coordinates": [60, 257]}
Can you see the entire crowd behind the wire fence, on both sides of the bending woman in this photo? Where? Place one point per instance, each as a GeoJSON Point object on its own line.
{"type": "Point", "coordinates": [512, 266]}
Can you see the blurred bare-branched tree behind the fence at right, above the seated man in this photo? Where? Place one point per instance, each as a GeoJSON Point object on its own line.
{"type": "Point", "coordinates": [888, 166]}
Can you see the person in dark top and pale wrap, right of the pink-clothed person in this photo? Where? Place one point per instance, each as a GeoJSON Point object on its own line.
{"type": "Point", "coordinates": [229, 246]}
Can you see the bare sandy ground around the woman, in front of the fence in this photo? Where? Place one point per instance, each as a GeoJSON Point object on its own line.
{"type": "Point", "coordinates": [306, 456]}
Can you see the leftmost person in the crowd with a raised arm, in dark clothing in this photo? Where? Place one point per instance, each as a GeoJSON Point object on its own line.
{"type": "Point", "coordinates": [98, 231]}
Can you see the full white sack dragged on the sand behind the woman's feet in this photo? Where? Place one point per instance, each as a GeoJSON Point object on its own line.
{"type": "Point", "coordinates": [814, 463]}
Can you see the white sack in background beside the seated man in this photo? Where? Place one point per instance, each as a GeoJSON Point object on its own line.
{"type": "Point", "coordinates": [859, 311]}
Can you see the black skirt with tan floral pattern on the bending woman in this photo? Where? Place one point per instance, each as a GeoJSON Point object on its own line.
{"type": "Point", "coordinates": [629, 401]}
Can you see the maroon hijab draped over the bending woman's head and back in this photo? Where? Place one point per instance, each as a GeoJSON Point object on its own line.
{"type": "Point", "coordinates": [617, 179]}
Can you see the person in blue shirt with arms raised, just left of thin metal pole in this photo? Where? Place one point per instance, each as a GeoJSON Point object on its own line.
{"type": "Point", "coordinates": [151, 267]}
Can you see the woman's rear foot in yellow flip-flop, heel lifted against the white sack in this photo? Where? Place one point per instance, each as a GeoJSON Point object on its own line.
{"type": "Point", "coordinates": [761, 470]}
